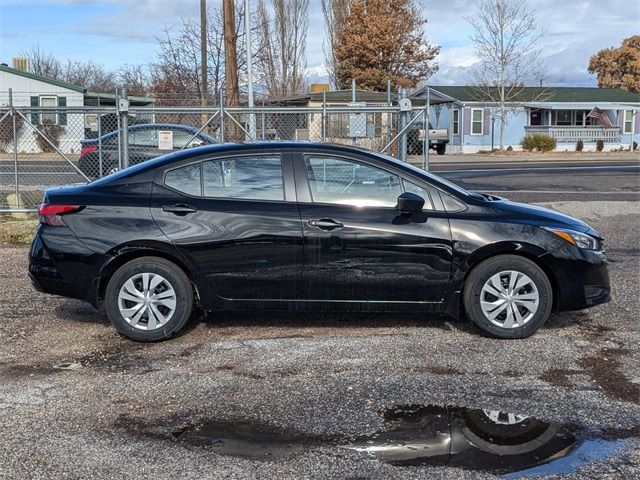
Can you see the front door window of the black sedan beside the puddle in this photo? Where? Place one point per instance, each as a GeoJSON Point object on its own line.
{"type": "Point", "coordinates": [346, 182]}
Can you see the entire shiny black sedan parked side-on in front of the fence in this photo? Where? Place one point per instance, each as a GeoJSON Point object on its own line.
{"type": "Point", "coordinates": [307, 226]}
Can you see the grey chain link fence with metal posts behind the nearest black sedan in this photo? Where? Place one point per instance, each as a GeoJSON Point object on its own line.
{"type": "Point", "coordinates": [46, 144]}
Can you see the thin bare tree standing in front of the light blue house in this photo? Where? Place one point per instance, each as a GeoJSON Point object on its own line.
{"type": "Point", "coordinates": [506, 39]}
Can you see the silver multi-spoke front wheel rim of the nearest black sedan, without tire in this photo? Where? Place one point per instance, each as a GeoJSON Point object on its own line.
{"type": "Point", "coordinates": [509, 299]}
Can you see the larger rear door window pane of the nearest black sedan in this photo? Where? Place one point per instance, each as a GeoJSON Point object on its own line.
{"type": "Point", "coordinates": [253, 178]}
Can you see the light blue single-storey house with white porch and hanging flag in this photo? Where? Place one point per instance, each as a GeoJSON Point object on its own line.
{"type": "Point", "coordinates": [560, 112]}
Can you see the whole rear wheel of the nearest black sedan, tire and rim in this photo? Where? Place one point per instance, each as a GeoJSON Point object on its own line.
{"type": "Point", "coordinates": [149, 320]}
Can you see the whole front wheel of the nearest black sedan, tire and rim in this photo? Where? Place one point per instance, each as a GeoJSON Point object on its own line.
{"type": "Point", "coordinates": [508, 296]}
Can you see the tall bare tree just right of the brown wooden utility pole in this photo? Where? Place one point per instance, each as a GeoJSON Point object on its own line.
{"type": "Point", "coordinates": [282, 52]}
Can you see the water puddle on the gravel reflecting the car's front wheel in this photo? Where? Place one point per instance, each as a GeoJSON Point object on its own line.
{"type": "Point", "coordinates": [415, 435]}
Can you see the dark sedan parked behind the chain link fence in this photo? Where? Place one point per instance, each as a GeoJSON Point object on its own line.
{"type": "Point", "coordinates": [99, 156]}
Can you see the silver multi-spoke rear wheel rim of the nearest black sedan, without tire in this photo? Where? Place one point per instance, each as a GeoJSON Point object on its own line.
{"type": "Point", "coordinates": [147, 301]}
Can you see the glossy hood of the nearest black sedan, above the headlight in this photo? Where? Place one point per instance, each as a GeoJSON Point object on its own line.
{"type": "Point", "coordinates": [538, 215]}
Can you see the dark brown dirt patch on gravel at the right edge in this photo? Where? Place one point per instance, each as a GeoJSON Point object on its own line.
{"type": "Point", "coordinates": [605, 369]}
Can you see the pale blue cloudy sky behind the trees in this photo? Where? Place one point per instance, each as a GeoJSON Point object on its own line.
{"type": "Point", "coordinates": [117, 32]}
